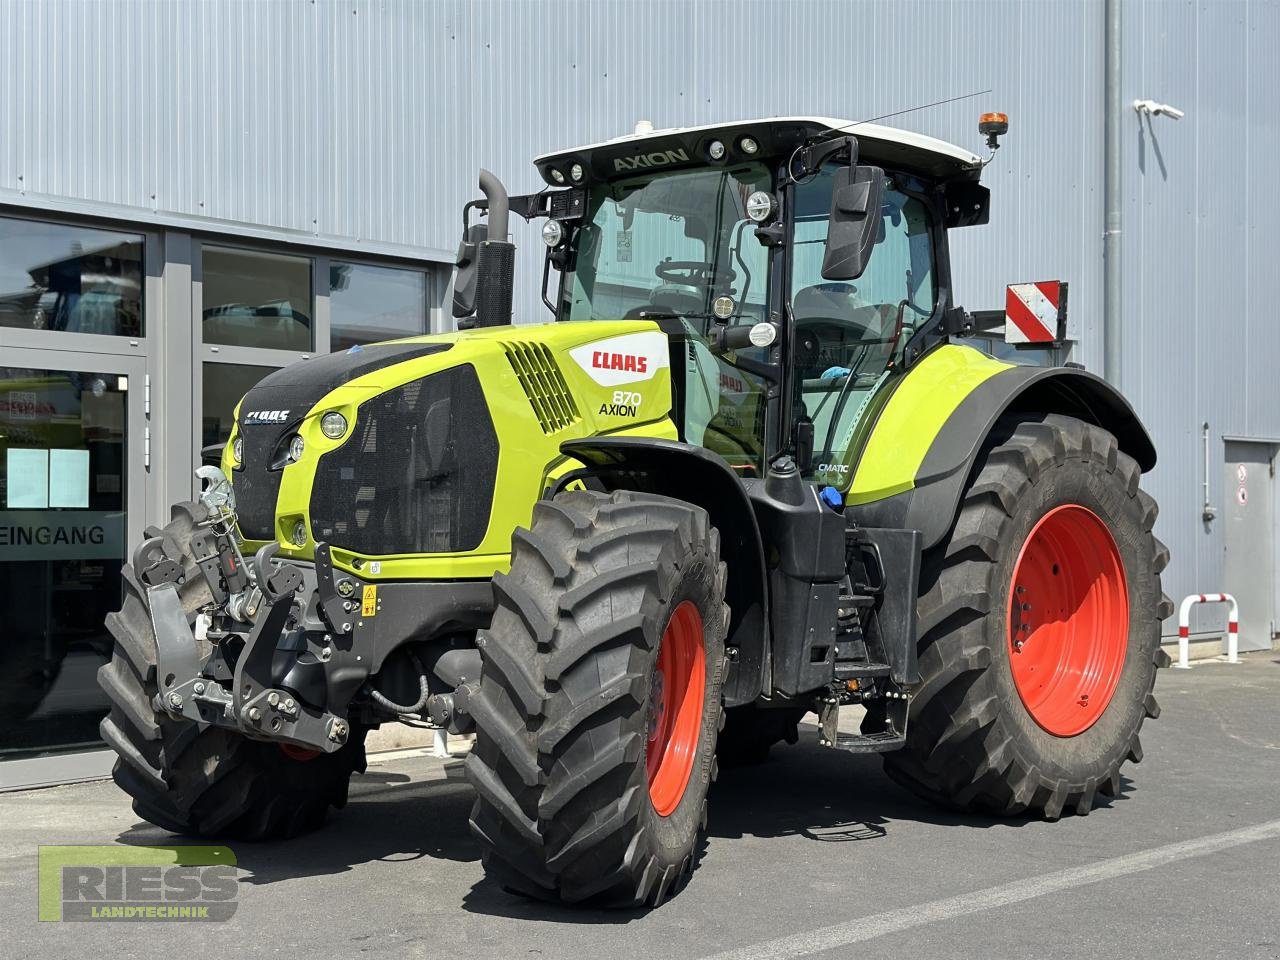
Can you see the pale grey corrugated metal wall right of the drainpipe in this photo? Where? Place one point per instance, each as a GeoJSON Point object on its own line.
{"type": "Point", "coordinates": [1201, 339]}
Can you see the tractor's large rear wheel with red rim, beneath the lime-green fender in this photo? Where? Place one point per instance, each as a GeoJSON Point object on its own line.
{"type": "Point", "coordinates": [985, 734]}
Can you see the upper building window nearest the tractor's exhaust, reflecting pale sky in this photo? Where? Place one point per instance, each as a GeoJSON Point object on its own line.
{"type": "Point", "coordinates": [371, 304]}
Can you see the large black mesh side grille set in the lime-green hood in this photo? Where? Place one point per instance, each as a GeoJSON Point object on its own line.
{"type": "Point", "coordinates": [417, 474]}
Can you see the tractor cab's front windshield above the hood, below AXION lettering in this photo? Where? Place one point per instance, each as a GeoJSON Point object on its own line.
{"type": "Point", "coordinates": [670, 244]}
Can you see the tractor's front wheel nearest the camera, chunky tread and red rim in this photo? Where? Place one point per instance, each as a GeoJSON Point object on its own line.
{"type": "Point", "coordinates": [604, 591]}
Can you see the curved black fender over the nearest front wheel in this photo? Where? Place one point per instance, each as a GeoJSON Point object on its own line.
{"type": "Point", "coordinates": [700, 477]}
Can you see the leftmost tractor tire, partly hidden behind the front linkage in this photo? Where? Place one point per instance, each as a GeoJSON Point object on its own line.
{"type": "Point", "coordinates": [212, 783]}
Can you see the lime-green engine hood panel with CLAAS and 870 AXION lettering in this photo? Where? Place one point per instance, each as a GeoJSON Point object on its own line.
{"type": "Point", "coordinates": [529, 456]}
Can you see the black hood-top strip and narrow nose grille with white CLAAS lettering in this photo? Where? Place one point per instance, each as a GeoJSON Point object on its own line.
{"type": "Point", "coordinates": [295, 390]}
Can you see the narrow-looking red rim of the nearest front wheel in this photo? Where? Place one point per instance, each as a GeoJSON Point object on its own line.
{"type": "Point", "coordinates": [676, 696]}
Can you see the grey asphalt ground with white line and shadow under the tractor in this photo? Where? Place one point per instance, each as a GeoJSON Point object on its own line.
{"type": "Point", "coordinates": [811, 854]}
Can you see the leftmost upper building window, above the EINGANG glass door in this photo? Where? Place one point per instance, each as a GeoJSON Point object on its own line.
{"type": "Point", "coordinates": [57, 277]}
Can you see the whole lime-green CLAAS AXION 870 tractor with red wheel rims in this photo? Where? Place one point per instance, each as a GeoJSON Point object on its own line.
{"type": "Point", "coordinates": [752, 472]}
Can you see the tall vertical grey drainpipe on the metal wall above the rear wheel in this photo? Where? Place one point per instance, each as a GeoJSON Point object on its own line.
{"type": "Point", "coordinates": [1112, 111]}
